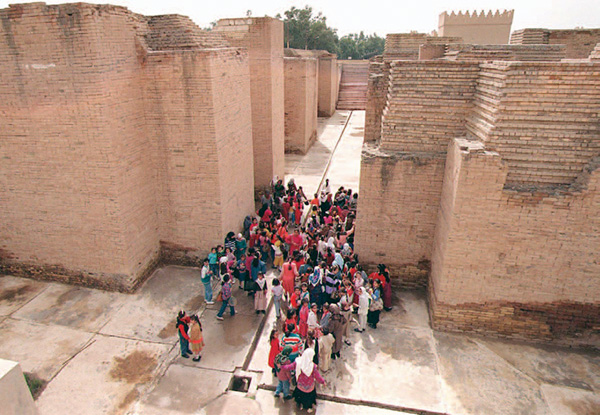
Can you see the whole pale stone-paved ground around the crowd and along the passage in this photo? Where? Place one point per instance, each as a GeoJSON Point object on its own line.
{"type": "Point", "coordinates": [110, 353]}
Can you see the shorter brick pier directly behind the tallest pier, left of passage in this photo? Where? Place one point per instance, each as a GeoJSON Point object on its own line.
{"type": "Point", "coordinates": [301, 93]}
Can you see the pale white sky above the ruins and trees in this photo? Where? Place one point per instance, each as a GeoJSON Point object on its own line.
{"type": "Point", "coordinates": [376, 16]}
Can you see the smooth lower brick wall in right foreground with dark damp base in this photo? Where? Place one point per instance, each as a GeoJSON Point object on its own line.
{"type": "Point", "coordinates": [514, 263]}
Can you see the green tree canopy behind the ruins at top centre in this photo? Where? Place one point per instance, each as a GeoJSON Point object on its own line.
{"type": "Point", "coordinates": [306, 30]}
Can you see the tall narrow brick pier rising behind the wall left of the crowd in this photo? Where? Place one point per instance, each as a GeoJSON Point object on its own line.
{"type": "Point", "coordinates": [263, 38]}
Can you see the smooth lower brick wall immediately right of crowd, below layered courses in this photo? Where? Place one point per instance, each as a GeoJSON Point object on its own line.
{"type": "Point", "coordinates": [397, 211]}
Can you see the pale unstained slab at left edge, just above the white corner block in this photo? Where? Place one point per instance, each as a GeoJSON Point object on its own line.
{"type": "Point", "coordinates": [40, 349]}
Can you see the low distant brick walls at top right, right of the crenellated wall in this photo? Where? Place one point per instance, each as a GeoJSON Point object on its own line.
{"type": "Point", "coordinates": [579, 43]}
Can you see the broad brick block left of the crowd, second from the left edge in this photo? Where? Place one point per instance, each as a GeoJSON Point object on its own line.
{"type": "Point", "coordinates": [202, 129]}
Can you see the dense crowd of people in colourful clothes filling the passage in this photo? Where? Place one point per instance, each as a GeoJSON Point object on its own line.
{"type": "Point", "coordinates": [320, 291]}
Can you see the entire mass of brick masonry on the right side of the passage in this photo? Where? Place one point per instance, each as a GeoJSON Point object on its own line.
{"type": "Point", "coordinates": [480, 181]}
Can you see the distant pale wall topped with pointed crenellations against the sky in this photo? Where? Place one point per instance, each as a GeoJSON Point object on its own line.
{"type": "Point", "coordinates": [478, 28]}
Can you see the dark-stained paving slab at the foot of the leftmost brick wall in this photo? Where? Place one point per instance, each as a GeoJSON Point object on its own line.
{"type": "Point", "coordinates": [75, 307]}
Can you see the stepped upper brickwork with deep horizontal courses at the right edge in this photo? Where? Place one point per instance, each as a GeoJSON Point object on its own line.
{"type": "Point", "coordinates": [543, 118]}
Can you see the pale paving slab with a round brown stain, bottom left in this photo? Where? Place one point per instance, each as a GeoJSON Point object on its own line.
{"type": "Point", "coordinates": [104, 378]}
